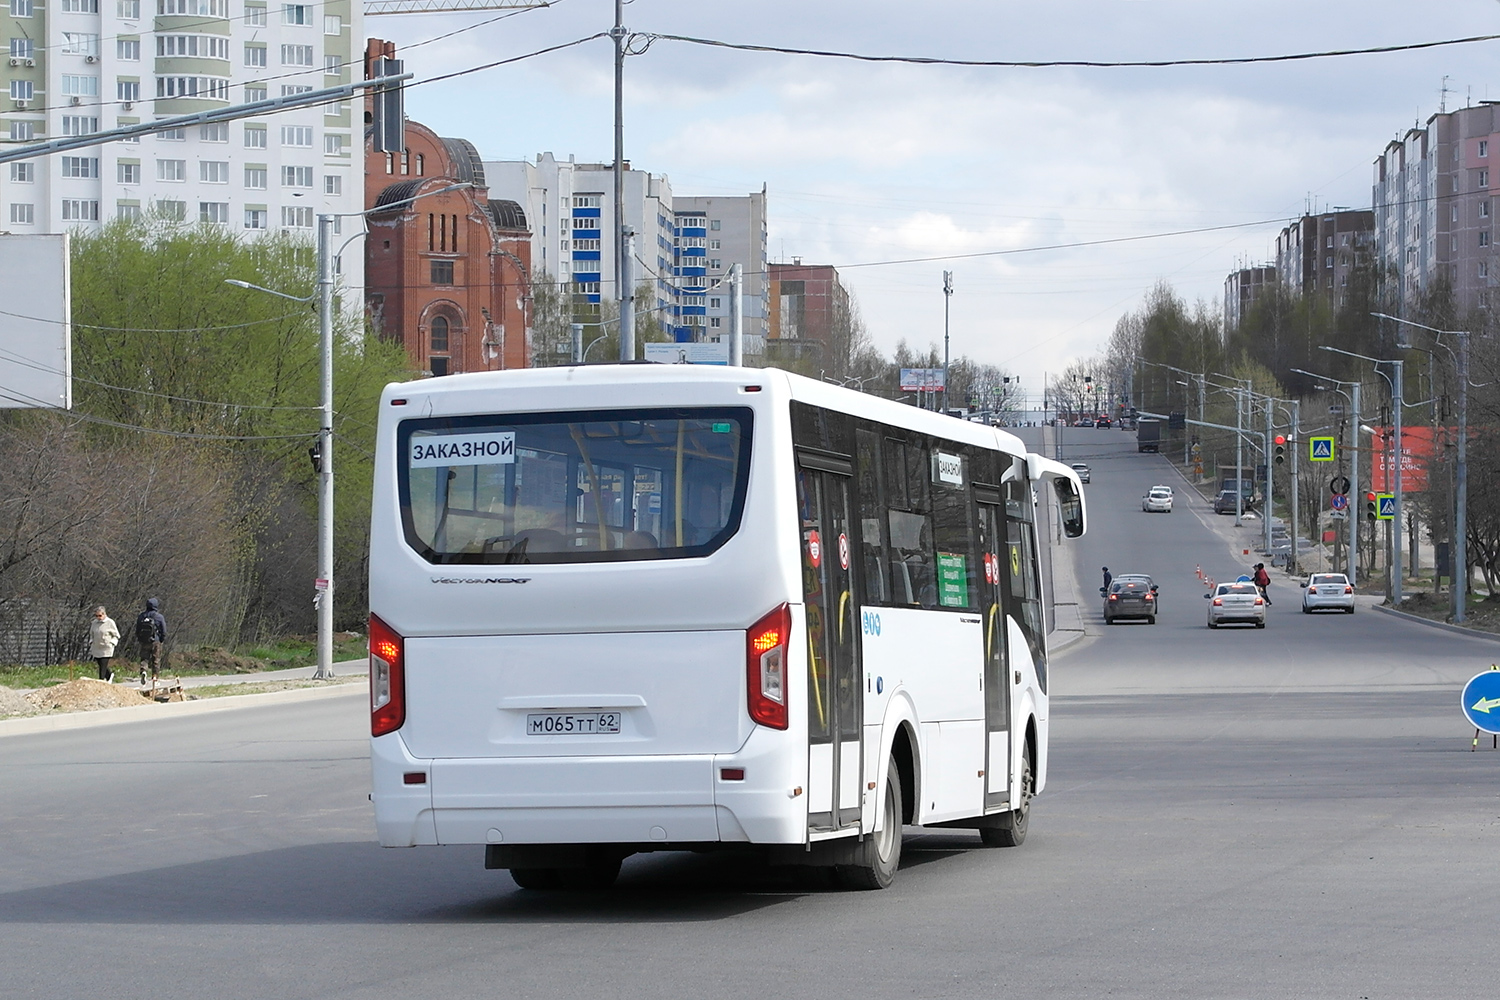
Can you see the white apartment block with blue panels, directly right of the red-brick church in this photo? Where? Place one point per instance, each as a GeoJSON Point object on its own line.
{"type": "Point", "coordinates": [572, 212]}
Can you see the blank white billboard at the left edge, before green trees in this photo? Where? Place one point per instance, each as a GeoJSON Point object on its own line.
{"type": "Point", "coordinates": [37, 331]}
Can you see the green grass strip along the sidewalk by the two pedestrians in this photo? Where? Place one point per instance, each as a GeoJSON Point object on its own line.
{"type": "Point", "coordinates": [293, 651]}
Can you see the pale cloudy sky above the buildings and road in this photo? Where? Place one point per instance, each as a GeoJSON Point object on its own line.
{"type": "Point", "coordinates": [874, 163]}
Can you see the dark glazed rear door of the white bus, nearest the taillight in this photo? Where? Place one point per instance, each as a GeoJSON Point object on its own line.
{"type": "Point", "coordinates": [835, 786]}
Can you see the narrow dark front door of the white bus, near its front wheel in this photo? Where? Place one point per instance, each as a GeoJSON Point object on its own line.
{"type": "Point", "coordinates": [997, 683]}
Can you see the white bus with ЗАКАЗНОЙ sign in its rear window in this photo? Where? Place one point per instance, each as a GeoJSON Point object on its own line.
{"type": "Point", "coordinates": [646, 608]}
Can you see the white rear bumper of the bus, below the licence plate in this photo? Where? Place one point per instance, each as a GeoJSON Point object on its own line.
{"type": "Point", "coordinates": [617, 800]}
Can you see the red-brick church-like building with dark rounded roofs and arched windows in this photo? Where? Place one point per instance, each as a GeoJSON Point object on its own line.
{"type": "Point", "coordinates": [449, 275]}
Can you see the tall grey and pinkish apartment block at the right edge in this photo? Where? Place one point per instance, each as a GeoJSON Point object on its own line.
{"type": "Point", "coordinates": [1433, 206]}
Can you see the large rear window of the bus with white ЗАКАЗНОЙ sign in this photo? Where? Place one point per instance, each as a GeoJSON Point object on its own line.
{"type": "Point", "coordinates": [574, 488]}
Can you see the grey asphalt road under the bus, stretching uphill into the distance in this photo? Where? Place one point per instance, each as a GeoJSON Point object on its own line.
{"type": "Point", "coordinates": [1237, 813]}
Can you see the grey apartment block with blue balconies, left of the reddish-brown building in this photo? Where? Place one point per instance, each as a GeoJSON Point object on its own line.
{"type": "Point", "coordinates": [713, 236]}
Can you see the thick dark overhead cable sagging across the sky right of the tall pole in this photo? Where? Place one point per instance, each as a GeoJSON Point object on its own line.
{"type": "Point", "coordinates": [647, 38]}
